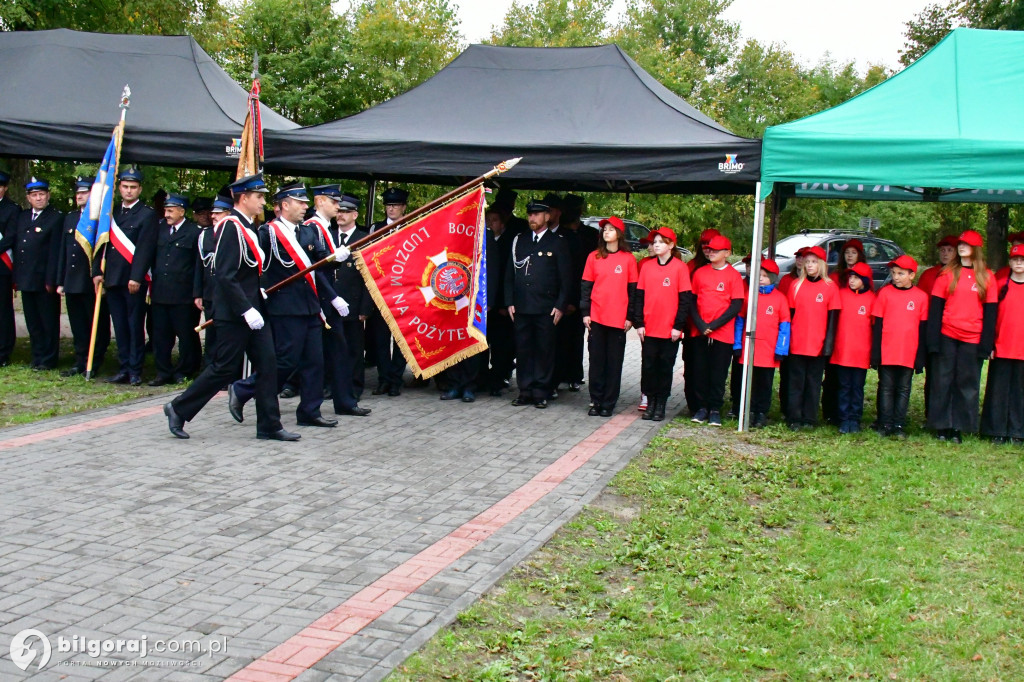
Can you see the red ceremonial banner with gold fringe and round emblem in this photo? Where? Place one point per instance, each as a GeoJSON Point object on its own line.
{"type": "Point", "coordinates": [425, 278]}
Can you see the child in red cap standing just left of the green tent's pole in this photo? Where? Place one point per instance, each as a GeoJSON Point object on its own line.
{"type": "Point", "coordinates": [719, 291]}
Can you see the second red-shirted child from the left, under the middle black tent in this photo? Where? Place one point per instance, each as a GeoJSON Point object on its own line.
{"type": "Point", "coordinates": [659, 313]}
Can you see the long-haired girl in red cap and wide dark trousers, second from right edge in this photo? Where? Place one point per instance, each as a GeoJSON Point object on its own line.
{"type": "Point", "coordinates": [961, 335]}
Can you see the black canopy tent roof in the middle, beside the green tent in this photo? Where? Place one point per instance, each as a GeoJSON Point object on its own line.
{"type": "Point", "coordinates": [582, 118]}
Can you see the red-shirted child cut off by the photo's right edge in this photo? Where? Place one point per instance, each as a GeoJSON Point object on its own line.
{"type": "Point", "coordinates": [1003, 417]}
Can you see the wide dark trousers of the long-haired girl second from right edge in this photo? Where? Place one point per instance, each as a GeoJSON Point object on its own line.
{"type": "Point", "coordinates": [956, 387]}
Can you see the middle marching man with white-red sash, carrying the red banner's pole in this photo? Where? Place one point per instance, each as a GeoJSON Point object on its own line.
{"type": "Point", "coordinates": [295, 310]}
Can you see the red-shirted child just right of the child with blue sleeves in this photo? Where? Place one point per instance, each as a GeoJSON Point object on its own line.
{"type": "Point", "coordinates": [815, 306]}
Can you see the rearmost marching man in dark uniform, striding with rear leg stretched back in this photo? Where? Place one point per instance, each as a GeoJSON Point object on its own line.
{"type": "Point", "coordinates": [239, 311]}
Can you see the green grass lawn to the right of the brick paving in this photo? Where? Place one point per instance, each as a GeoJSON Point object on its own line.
{"type": "Point", "coordinates": [769, 557]}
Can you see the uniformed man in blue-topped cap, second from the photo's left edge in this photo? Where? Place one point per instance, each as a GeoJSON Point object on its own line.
{"type": "Point", "coordinates": [35, 261]}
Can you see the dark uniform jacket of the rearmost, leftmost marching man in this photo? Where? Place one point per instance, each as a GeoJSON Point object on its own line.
{"type": "Point", "coordinates": [236, 281]}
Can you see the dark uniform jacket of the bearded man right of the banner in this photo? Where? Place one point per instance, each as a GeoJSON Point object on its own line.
{"type": "Point", "coordinates": [543, 283]}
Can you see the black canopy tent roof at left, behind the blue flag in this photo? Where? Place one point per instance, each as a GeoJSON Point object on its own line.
{"type": "Point", "coordinates": [62, 90]}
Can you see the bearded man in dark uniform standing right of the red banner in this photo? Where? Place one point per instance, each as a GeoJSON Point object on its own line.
{"type": "Point", "coordinates": [538, 284]}
